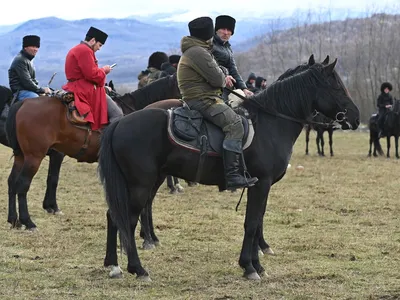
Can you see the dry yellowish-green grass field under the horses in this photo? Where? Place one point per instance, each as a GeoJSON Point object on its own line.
{"type": "Point", "coordinates": [334, 227]}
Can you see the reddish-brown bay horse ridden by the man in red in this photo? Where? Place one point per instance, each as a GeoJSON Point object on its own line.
{"type": "Point", "coordinates": [35, 126]}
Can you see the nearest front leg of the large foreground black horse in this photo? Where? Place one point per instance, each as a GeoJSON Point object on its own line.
{"type": "Point", "coordinates": [255, 209]}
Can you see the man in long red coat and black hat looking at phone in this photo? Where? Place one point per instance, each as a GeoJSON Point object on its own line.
{"type": "Point", "coordinates": [86, 80]}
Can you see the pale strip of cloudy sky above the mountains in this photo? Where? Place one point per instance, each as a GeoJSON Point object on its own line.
{"type": "Point", "coordinates": [79, 9]}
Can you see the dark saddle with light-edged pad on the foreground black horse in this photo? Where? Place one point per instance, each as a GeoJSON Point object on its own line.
{"type": "Point", "coordinates": [188, 129]}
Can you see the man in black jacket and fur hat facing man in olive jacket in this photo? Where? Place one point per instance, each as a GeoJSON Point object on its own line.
{"type": "Point", "coordinates": [223, 54]}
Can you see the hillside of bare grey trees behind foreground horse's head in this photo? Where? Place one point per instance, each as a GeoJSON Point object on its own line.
{"type": "Point", "coordinates": [368, 52]}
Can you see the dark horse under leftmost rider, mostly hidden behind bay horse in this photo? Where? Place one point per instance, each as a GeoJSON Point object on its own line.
{"type": "Point", "coordinates": [55, 158]}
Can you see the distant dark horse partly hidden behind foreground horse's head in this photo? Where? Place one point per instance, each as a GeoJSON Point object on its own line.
{"type": "Point", "coordinates": [320, 124]}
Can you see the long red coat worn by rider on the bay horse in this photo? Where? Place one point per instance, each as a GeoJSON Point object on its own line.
{"type": "Point", "coordinates": [86, 80]}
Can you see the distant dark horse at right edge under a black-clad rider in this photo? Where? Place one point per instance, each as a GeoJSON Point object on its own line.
{"type": "Point", "coordinates": [391, 128]}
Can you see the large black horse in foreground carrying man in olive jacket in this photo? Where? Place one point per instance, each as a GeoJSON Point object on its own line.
{"type": "Point", "coordinates": [134, 158]}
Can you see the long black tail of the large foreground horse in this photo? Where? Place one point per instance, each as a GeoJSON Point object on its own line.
{"type": "Point", "coordinates": [115, 187]}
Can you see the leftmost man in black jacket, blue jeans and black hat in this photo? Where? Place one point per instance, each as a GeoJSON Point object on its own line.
{"type": "Point", "coordinates": [21, 74]}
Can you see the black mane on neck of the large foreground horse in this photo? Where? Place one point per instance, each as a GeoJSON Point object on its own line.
{"type": "Point", "coordinates": [284, 95]}
